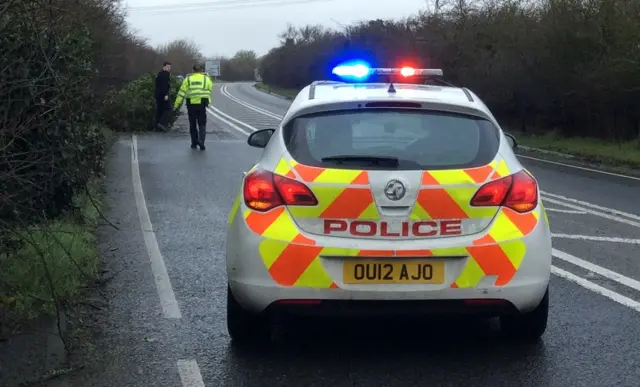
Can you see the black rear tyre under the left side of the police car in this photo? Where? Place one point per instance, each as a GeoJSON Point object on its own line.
{"type": "Point", "coordinates": [245, 327]}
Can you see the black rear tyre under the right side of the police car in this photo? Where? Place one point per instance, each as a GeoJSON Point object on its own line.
{"type": "Point", "coordinates": [528, 326]}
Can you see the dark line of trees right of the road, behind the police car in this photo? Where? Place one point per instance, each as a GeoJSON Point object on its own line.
{"type": "Point", "coordinates": [571, 66]}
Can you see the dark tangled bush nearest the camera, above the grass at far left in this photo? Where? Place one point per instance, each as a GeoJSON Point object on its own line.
{"type": "Point", "coordinates": [49, 145]}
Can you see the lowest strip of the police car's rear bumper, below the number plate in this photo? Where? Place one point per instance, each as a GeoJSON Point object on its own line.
{"type": "Point", "coordinates": [489, 301]}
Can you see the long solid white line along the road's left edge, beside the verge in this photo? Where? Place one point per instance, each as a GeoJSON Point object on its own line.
{"type": "Point", "coordinates": [168, 301]}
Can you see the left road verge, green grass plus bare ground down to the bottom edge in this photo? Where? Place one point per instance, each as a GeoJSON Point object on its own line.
{"type": "Point", "coordinates": [47, 276]}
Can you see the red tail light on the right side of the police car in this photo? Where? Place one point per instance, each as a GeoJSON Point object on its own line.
{"type": "Point", "coordinates": [518, 192]}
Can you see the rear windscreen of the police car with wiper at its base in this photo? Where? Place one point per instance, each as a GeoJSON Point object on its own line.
{"type": "Point", "coordinates": [418, 139]}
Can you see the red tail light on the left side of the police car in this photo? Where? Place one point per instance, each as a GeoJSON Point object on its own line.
{"type": "Point", "coordinates": [264, 190]}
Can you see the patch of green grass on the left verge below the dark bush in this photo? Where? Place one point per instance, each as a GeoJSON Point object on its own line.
{"type": "Point", "coordinates": [54, 262]}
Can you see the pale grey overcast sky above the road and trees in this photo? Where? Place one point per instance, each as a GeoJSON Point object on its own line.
{"type": "Point", "coordinates": [251, 24]}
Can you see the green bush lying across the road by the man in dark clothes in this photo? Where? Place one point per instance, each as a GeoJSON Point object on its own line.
{"type": "Point", "coordinates": [132, 109]}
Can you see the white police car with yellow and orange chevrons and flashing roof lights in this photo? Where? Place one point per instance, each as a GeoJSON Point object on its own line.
{"type": "Point", "coordinates": [387, 197]}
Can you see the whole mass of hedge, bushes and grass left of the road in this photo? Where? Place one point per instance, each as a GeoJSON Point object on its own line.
{"type": "Point", "coordinates": [70, 69]}
